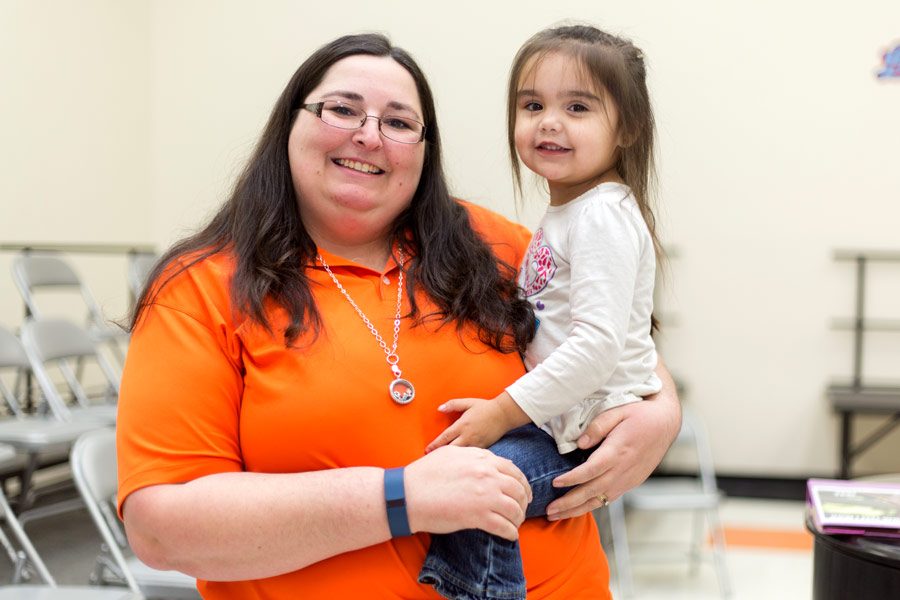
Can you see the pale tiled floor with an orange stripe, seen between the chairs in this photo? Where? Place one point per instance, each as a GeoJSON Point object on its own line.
{"type": "Point", "coordinates": [769, 553]}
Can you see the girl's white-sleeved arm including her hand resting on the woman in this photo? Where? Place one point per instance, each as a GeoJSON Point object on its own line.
{"type": "Point", "coordinates": [610, 258]}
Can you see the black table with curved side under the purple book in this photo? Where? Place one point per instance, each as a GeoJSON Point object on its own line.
{"type": "Point", "coordinates": [851, 567]}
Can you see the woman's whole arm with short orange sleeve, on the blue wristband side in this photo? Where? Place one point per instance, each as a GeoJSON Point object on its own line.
{"type": "Point", "coordinates": [180, 417]}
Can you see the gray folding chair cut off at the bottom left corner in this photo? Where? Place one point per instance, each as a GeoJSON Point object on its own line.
{"type": "Point", "coordinates": [28, 565]}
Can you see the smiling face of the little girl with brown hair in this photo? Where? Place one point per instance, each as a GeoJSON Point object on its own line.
{"type": "Point", "coordinates": [567, 130]}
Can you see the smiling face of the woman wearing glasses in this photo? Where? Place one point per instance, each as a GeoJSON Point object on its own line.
{"type": "Point", "coordinates": [352, 183]}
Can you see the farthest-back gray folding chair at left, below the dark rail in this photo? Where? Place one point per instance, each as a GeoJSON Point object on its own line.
{"type": "Point", "coordinates": [34, 273]}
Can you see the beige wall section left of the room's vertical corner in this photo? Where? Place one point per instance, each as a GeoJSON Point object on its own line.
{"type": "Point", "coordinates": [74, 129]}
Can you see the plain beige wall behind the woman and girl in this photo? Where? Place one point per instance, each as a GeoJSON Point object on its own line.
{"type": "Point", "coordinates": [777, 145]}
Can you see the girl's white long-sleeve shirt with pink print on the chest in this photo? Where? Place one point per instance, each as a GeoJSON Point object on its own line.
{"type": "Point", "coordinates": [589, 273]}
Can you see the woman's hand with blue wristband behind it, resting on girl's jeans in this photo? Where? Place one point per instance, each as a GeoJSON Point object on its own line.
{"type": "Point", "coordinates": [454, 488]}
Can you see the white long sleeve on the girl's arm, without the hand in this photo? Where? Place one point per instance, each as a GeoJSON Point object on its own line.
{"type": "Point", "coordinates": [611, 266]}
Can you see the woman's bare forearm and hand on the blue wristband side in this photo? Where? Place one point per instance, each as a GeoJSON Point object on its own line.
{"type": "Point", "coordinates": [234, 526]}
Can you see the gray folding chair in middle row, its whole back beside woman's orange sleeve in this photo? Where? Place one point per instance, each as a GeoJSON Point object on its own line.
{"type": "Point", "coordinates": [55, 343]}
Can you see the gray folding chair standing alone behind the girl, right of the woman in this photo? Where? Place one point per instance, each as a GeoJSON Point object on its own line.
{"type": "Point", "coordinates": [696, 494]}
